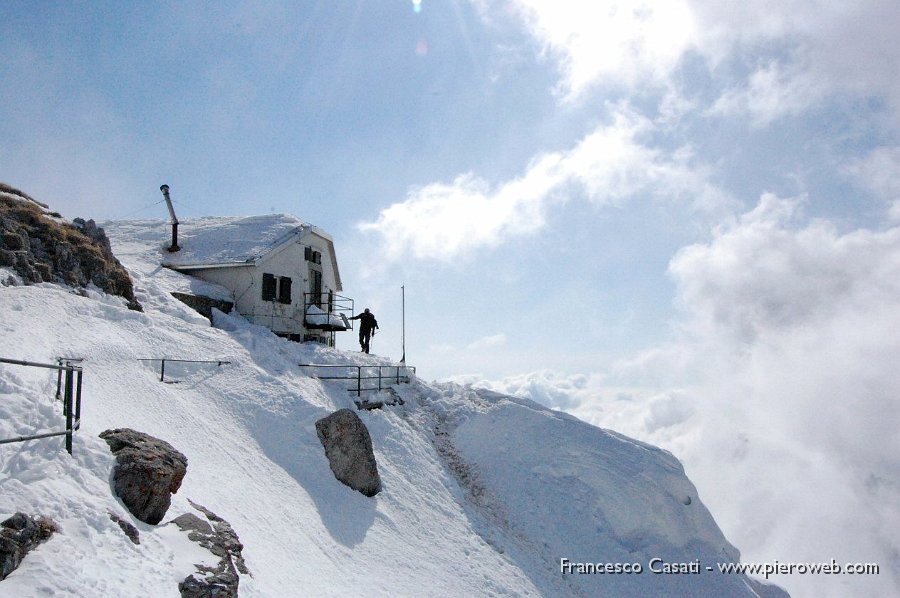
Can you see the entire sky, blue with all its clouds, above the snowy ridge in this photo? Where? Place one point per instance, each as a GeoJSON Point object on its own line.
{"type": "Point", "coordinates": [678, 220]}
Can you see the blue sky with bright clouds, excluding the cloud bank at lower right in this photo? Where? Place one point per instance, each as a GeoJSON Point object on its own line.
{"type": "Point", "coordinates": [415, 134]}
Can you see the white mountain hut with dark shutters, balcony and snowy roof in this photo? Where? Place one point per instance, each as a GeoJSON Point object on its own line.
{"type": "Point", "coordinates": [282, 273]}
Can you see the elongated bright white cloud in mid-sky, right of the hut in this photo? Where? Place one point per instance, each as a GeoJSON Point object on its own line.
{"type": "Point", "coordinates": [445, 221]}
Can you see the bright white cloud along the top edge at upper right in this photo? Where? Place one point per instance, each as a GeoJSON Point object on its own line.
{"type": "Point", "coordinates": [822, 49]}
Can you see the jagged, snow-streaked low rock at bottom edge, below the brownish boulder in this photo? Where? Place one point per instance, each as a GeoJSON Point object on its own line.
{"type": "Point", "coordinates": [216, 535]}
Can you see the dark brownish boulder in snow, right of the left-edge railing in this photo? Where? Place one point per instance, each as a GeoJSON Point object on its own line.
{"type": "Point", "coordinates": [147, 472]}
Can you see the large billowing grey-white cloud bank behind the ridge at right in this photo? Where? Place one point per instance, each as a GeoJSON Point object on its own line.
{"type": "Point", "coordinates": [780, 395]}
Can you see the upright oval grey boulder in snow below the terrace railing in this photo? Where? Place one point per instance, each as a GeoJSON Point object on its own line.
{"type": "Point", "coordinates": [348, 447]}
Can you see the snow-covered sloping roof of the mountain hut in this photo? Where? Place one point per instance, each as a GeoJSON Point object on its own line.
{"type": "Point", "coordinates": [231, 239]}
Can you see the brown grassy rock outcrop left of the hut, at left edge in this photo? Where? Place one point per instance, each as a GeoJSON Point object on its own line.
{"type": "Point", "coordinates": [41, 247]}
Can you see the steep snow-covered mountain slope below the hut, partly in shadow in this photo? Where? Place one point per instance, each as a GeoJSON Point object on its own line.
{"type": "Point", "coordinates": [483, 494]}
